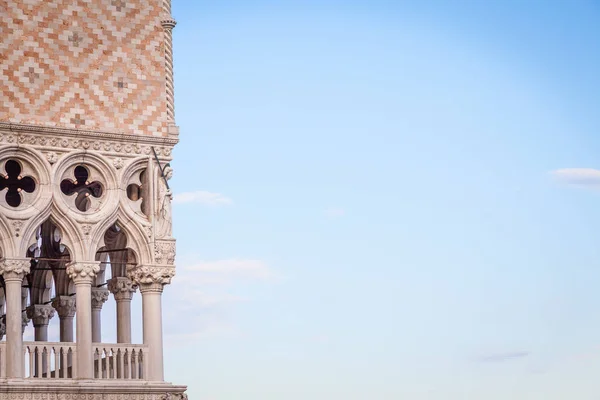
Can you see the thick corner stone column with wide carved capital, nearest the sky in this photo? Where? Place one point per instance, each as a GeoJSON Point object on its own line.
{"type": "Point", "coordinates": [151, 280]}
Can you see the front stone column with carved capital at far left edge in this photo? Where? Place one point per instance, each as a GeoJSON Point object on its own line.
{"type": "Point", "coordinates": [13, 272]}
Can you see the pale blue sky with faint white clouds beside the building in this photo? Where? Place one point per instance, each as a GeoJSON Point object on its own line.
{"type": "Point", "coordinates": [368, 204]}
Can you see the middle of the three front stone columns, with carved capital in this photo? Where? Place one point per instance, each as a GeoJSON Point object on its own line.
{"type": "Point", "coordinates": [82, 274]}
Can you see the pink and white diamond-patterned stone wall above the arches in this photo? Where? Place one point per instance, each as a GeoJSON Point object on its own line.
{"type": "Point", "coordinates": [86, 64]}
